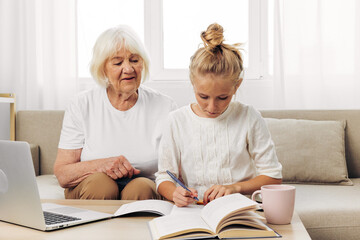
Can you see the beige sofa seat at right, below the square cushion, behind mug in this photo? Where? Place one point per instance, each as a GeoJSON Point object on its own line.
{"type": "Point", "coordinates": [329, 211]}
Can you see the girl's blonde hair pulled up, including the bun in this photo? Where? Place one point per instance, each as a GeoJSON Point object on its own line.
{"type": "Point", "coordinates": [216, 57]}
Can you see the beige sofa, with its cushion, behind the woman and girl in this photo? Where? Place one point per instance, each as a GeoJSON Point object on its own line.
{"type": "Point", "coordinates": [328, 209]}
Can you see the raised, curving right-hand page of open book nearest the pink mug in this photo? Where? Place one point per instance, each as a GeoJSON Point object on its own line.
{"type": "Point", "coordinates": [217, 209]}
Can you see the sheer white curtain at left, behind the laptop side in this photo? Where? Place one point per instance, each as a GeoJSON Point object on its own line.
{"type": "Point", "coordinates": [38, 52]}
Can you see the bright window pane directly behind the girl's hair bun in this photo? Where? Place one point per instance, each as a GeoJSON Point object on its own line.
{"type": "Point", "coordinates": [182, 26]}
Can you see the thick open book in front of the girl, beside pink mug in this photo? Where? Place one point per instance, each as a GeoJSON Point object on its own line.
{"type": "Point", "coordinates": [231, 216]}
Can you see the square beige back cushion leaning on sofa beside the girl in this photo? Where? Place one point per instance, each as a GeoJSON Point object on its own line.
{"type": "Point", "coordinates": [310, 151]}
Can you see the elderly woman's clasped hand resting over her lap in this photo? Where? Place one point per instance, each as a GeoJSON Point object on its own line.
{"type": "Point", "coordinates": [118, 167]}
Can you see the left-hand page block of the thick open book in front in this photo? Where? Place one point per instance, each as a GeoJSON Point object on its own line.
{"type": "Point", "coordinates": [174, 225]}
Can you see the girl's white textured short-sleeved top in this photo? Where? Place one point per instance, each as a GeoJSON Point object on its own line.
{"type": "Point", "coordinates": [236, 146]}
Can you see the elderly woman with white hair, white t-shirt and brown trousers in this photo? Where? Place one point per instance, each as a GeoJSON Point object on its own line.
{"type": "Point", "coordinates": [110, 135]}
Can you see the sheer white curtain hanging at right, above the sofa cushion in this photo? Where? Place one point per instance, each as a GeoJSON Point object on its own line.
{"type": "Point", "coordinates": [317, 54]}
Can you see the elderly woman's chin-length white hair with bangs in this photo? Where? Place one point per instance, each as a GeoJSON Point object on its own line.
{"type": "Point", "coordinates": [108, 44]}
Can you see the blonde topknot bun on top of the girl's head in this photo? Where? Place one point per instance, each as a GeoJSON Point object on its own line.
{"type": "Point", "coordinates": [213, 37]}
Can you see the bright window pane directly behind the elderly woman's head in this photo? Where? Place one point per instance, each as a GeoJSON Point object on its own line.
{"type": "Point", "coordinates": [94, 17]}
